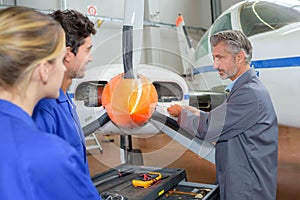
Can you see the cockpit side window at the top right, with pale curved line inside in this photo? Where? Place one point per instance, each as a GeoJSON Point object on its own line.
{"type": "Point", "coordinates": [259, 16]}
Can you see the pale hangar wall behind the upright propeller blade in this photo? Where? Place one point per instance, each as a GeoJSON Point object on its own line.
{"type": "Point", "coordinates": [159, 44]}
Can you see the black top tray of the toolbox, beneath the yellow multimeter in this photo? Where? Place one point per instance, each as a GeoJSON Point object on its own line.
{"type": "Point", "coordinates": [123, 185]}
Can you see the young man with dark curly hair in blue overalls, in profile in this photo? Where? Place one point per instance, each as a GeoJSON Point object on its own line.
{"type": "Point", "coordinates": [58, 116]}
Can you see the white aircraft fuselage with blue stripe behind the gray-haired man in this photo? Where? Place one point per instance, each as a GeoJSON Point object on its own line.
{"type": "Point", "coordinates": [273, 27]}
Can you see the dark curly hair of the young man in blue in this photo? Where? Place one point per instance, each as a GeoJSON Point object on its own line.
{"type": "Point", "coordinates": [77, 27]}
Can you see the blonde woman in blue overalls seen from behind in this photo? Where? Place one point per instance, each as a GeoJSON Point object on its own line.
{"type": "Point", "coordinates": [34, 165]}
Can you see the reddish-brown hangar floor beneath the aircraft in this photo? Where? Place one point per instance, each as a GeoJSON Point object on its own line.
{"type": "Point", "coordinates": [161, 151]}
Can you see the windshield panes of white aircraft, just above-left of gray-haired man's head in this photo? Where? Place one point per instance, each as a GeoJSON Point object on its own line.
{"type": "Point", "coordinates": [223, 23]}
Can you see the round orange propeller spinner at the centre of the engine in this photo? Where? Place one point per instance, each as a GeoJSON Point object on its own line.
{"type": "Point", "coordinates": [129, 102]}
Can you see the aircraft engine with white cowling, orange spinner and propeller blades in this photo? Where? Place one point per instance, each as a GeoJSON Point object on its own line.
{"type": "Point", "coordinates": [89, 96]}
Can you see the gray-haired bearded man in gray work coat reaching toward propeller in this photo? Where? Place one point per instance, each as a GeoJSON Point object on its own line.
{"type": "Point", "coordinates": [244, 126]}
